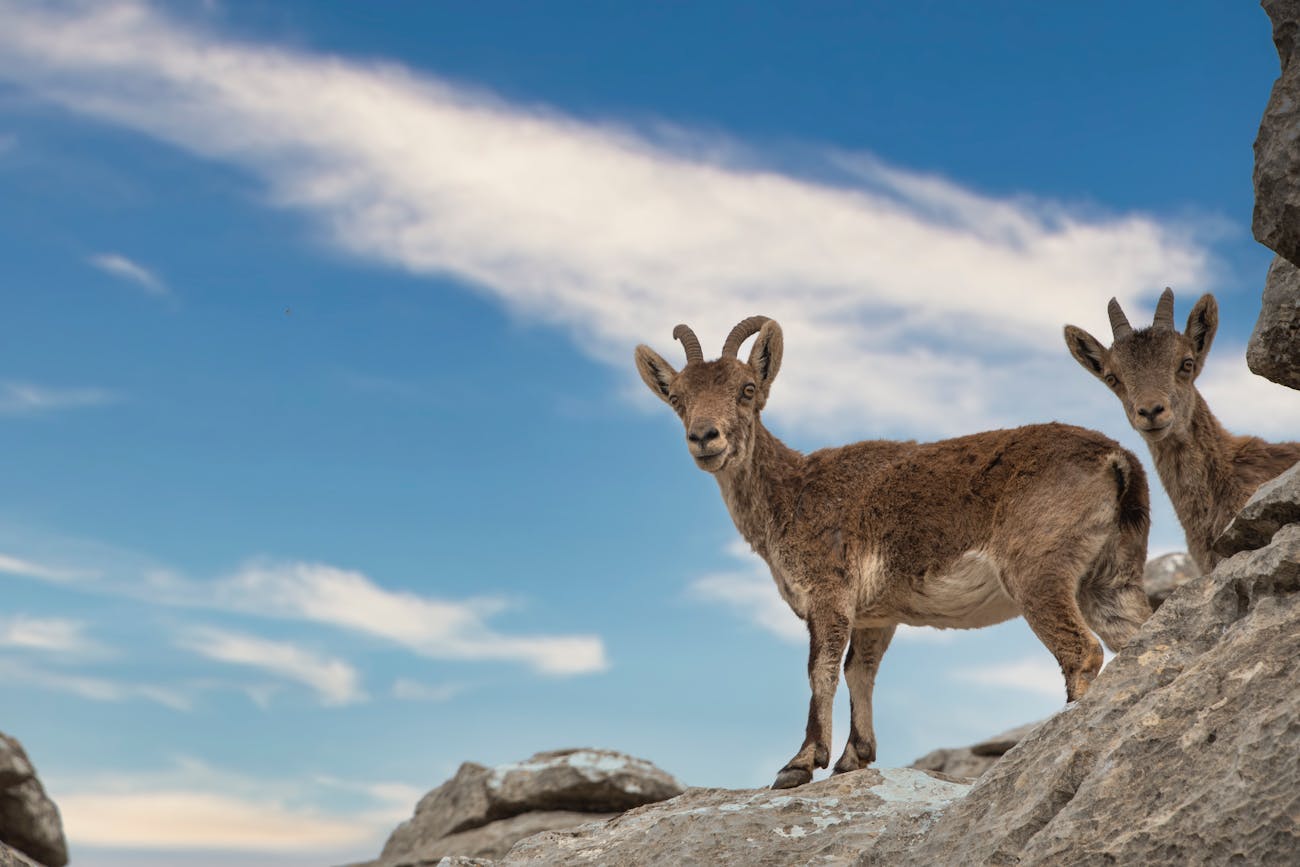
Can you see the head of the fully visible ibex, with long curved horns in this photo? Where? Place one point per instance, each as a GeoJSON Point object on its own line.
{"type": "Point", "coordinates": [718, 401]}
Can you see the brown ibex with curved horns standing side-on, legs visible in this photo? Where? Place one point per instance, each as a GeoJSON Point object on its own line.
{"type": "Point", "coordinates": [1048, 522]}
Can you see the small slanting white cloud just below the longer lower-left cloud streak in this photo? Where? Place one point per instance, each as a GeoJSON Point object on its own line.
{"type": "Point", "coordinates": [336, 682]}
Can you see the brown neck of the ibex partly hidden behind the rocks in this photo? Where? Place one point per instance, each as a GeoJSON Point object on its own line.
{"type": "Point", "coordinates": [1198, 472]}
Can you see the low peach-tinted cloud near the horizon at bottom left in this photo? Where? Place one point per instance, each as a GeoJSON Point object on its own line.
{"type": "Point", "coordinates": [197, 808]}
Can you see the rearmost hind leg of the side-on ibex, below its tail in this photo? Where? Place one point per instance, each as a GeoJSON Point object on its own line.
{"type": "Point", "coordinates": [1112, 596]}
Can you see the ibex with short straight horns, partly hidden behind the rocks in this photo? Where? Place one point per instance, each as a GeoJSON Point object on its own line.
{"type": "Point", "coordinates": [1208, 472]}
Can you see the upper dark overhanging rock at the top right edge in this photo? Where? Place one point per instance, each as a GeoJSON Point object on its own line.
{"type": "Point", "coordinates": [1277, 149]}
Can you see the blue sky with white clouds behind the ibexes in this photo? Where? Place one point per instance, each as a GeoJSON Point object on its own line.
{"type": "Point", "coordinates": [326, 462]}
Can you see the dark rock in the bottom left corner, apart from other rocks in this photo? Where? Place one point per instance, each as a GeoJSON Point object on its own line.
{"type": "Point", "coordinates": [29, 820]}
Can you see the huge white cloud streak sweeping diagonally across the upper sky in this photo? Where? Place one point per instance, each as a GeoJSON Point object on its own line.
{"type": "Point", "coordinates": [614, 236]}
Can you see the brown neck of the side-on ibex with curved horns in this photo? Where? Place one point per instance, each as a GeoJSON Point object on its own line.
{"type": "Point", "coordinates": [757, 492]}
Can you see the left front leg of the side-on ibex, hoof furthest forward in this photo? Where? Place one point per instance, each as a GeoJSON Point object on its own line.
{"type": "Point", "coordinates": [829, 634]}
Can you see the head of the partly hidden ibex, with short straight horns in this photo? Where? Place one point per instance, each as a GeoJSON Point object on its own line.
{"type": "Point", "coordinates": [1151, 370]}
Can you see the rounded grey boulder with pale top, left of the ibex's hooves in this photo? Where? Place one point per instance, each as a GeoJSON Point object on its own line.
{"type": "Point", "coordinates": [483, 812]}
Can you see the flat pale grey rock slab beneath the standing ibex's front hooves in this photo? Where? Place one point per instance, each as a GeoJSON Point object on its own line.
{"type": "Point", "coordinates": [821, 823]}
